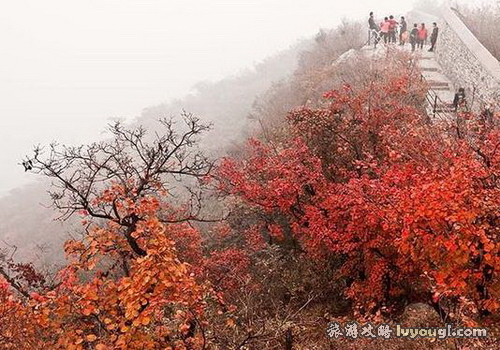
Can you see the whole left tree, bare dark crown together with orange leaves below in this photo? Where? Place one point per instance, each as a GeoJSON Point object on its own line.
{"type": "Point", "coordinates": [126, 284]}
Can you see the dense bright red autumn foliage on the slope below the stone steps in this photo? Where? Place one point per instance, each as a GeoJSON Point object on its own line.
{"type": "Point", "coordinates": [404, 203]}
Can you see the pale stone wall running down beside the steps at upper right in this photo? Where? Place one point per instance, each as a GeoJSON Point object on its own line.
{"type": "Point", "coordinates": [467, 62]}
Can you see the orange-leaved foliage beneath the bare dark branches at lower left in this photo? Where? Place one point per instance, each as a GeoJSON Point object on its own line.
{"type": "Point", "coordinates": [110, 298]}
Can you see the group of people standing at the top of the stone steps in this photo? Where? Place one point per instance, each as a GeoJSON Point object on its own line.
{"type": "Point", "coordinates": [389, 29]}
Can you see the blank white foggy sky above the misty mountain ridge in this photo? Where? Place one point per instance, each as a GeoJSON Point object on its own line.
{"type": "Point", "coordinates": [67, 66]}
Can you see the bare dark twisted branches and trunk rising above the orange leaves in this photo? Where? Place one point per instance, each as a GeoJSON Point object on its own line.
{"type": "Point", "coordinates": [139, 162]}
